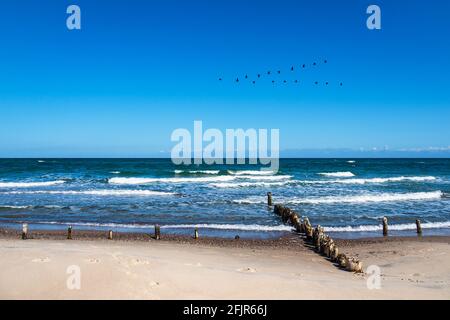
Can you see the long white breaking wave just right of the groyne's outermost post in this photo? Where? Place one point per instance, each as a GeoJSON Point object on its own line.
{"type": "Point", "coordinates": [382, 197]}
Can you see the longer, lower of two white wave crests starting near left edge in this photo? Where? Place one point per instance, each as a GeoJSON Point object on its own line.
{"type": "Point", "coordinates": [97, 192]}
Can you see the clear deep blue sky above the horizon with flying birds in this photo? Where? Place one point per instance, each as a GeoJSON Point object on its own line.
{"type": "Point", "coordinates": [140, 69]}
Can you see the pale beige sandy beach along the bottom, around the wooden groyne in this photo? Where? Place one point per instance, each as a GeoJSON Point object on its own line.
{"type": "Point", "coordinates": [138, 267]}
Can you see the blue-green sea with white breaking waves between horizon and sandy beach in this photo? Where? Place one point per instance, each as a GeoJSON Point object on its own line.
{"type": "Point", "coordinates": [346, 196]}
